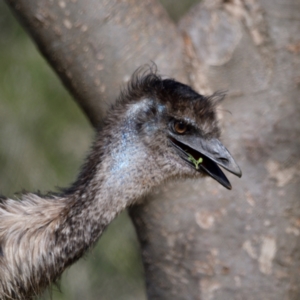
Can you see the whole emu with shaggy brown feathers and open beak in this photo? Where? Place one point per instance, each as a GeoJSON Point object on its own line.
{"type": "Point", "coordinates": [159, 129]}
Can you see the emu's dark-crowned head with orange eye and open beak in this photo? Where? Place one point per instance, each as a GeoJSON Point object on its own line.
{"type": "Point", "coordinates": [178, 128]}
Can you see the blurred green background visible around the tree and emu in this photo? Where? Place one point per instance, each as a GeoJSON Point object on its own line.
{"type": "Point", "coordinates": [44, 137]}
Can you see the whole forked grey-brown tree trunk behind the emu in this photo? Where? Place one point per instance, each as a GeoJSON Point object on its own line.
{"type": "Point", "coordinates": [200, 241]}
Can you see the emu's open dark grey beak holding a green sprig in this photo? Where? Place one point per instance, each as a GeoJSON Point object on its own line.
{"type": "Point", "coordinates": [206, 155]}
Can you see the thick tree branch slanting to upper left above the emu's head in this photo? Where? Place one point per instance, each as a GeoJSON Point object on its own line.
{"type": "Point", "coordinates": [95, 46]}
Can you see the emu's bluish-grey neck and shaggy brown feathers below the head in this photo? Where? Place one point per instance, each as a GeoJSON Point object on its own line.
{"type": "Point", "coordinates": [45, 235]}
